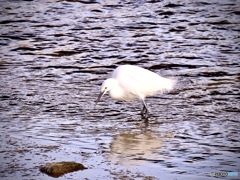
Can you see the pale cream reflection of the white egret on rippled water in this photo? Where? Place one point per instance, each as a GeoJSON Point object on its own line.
{"type": "Point", "coordinates": [131, 149]}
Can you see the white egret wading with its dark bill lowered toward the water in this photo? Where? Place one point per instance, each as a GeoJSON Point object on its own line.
{"type": "Point", "coordinates": [130, 82]}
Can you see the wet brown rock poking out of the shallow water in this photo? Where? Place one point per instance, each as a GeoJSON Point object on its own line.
{"type": "Point", "coordinates": [57, 169]}
